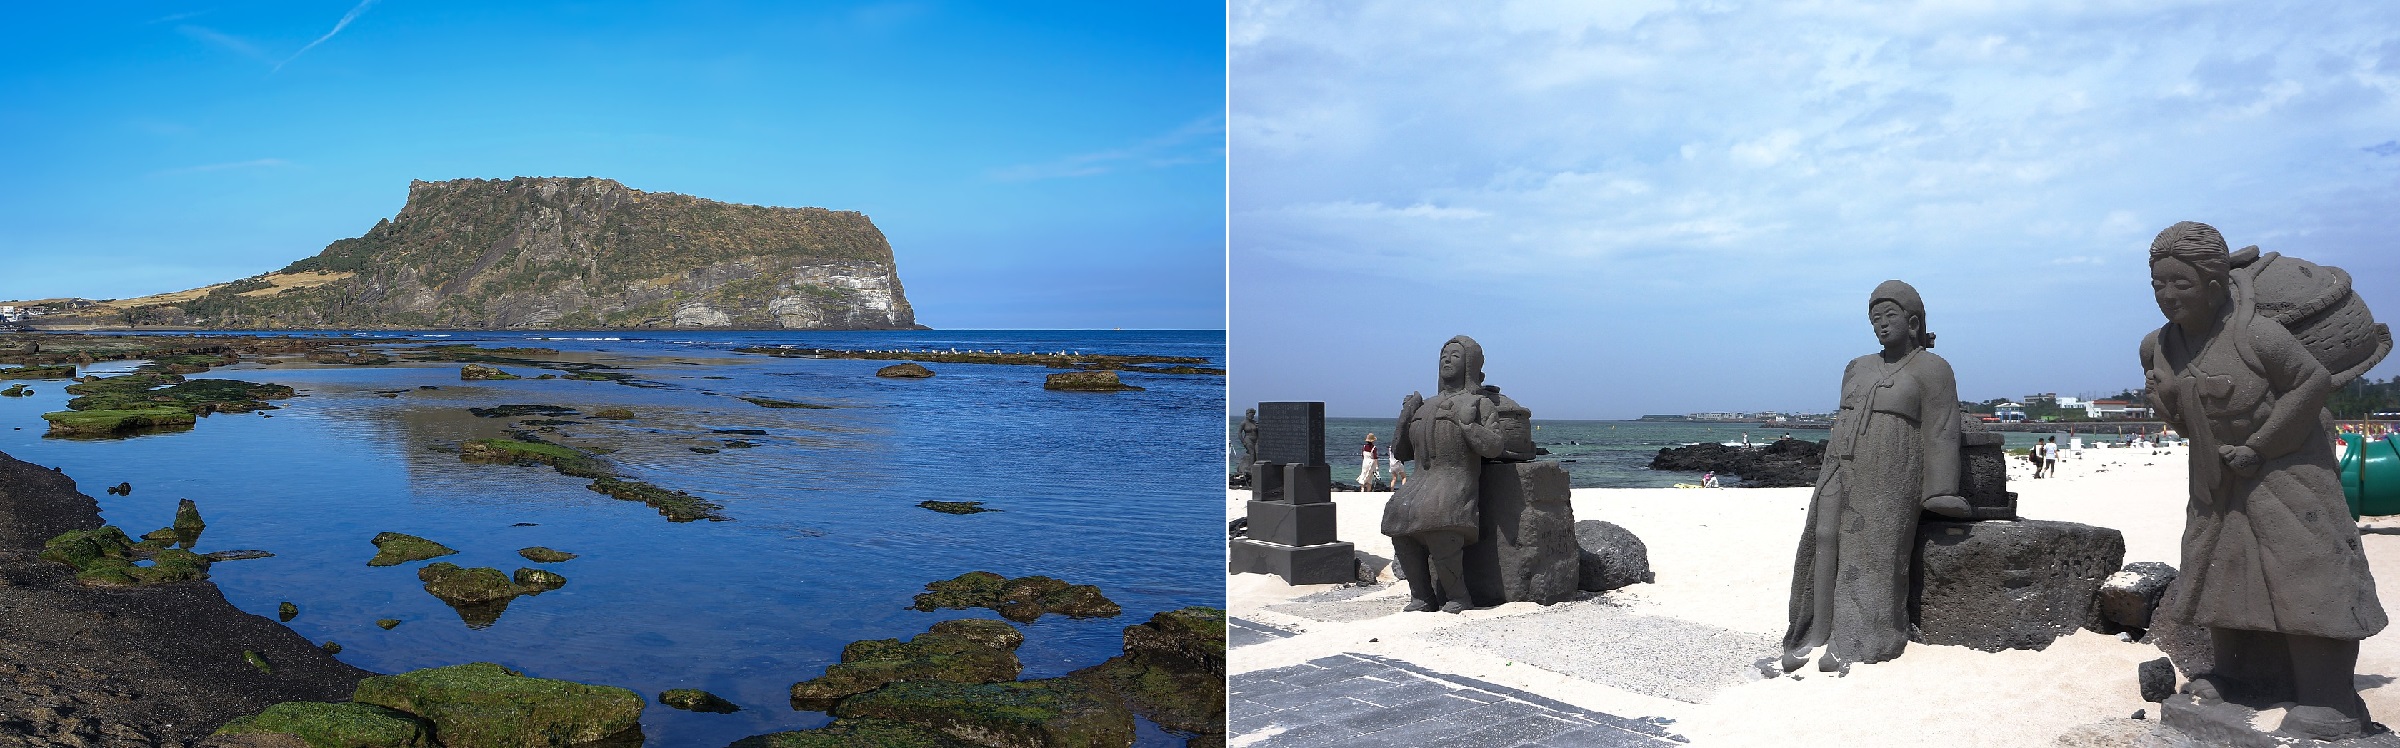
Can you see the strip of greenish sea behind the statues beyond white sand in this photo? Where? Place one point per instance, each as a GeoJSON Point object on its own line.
{"type": "Point", "coordinates": [1600, 454]}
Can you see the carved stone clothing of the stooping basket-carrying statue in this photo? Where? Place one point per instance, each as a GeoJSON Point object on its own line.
{"type": "Point", "coordinates": [2274, 550]}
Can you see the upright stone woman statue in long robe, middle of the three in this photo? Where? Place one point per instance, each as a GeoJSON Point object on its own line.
{"type": "Point", "coordinates": [1895, 454]}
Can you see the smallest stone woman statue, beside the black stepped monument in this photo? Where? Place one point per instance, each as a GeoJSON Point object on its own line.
{"type": "Point", "coordinates": [1434, 517]}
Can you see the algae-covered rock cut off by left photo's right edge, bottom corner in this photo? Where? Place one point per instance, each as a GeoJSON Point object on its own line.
{"type": "Point", "coordinates": [1172, 670]}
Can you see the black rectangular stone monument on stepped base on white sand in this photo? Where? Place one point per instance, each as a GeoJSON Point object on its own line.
{"type": "Point", "coordinates": [1292, 514]}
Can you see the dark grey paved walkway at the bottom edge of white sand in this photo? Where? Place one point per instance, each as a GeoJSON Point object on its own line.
{"type": "Point", "coordinates": [1357, 701]}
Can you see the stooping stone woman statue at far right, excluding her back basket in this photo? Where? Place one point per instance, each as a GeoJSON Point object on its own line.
{"type": "Point", "coordinates": [2272, 555]}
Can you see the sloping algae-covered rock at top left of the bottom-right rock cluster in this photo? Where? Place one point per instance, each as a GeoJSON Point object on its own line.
{"type": "Point", "coordinates": [954, 651]}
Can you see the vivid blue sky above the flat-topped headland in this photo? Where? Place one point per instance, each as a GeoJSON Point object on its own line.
{"type": "Point", "coordinates": [1048, 164]}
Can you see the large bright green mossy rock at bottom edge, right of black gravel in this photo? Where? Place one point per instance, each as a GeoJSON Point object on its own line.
{"type": "Point", "coordinates": [488, 706]}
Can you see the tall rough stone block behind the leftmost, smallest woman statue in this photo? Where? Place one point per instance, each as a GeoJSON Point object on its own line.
{"type": "Point", "coordinates": [1525, 550]}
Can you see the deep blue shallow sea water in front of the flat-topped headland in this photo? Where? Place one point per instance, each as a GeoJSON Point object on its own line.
{"type": "Point", "coordinates": [827, 545]}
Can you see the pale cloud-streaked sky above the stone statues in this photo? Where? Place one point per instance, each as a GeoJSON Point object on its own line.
{"type": "Point", "coordinates": [1669, 207]}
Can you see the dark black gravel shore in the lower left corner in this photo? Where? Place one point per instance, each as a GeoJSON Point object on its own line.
{"type": "Point", "coordinates": [152, 665]}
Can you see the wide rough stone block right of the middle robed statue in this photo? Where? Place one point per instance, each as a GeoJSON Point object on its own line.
{"type": "Point", "coordinates": [2010, 586]}
